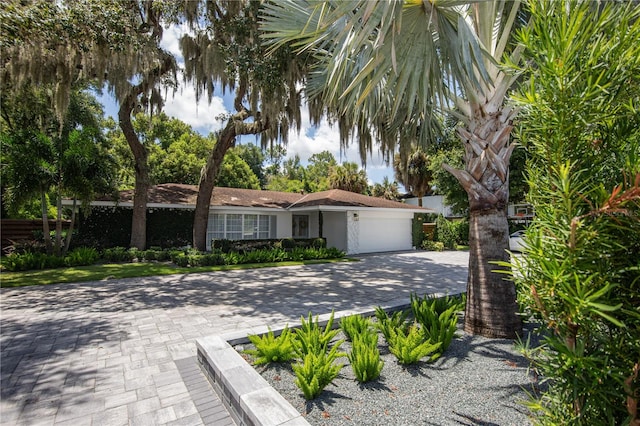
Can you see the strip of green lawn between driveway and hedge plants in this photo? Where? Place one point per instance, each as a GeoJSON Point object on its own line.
{"type": "Point", "coordinates": [105, 272]}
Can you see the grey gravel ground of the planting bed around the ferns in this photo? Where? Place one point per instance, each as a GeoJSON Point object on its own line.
{"type": "Point", "coordinates": [477, 381]}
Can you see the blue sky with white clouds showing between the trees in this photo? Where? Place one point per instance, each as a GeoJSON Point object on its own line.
{"type": "Point", "coordinates": [201, 117]}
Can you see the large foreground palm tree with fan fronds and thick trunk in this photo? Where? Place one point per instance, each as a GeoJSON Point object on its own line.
{"type": "Point", "coordinates": [384, 68]}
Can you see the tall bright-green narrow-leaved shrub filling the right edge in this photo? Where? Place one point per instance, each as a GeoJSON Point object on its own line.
{"type": "Point", "coordinates": [579, 275]}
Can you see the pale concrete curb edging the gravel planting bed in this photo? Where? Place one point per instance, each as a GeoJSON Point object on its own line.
{"type": "Point", "coordinates": [250, 399]}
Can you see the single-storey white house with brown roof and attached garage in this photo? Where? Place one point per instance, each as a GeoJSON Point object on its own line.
{"type": "Point", "coordinates": [351, 222]}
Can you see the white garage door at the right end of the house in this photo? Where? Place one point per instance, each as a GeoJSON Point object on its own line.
{"type": "Point", "coordinates": [381, 231]}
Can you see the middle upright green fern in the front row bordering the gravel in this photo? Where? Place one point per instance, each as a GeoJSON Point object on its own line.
{"type": "Point", "coordinates": [365, 355]}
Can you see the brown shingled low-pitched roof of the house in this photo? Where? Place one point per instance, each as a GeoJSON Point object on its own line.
{"type": "Point", "coordinates": [180, 194]}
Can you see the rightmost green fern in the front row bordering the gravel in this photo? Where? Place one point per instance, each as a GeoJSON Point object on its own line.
{"type": "Point", "coordinates": [412, 346]}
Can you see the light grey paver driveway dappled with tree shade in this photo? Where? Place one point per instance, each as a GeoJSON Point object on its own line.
{"type": "Point", "coordinates": [121, 352]}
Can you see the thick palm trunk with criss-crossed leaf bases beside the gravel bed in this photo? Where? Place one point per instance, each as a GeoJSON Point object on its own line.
{"type": "Point", "coordinates": [492, 309]}
